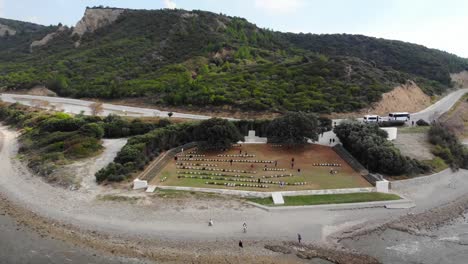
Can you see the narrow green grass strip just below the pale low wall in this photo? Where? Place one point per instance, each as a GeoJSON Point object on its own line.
{"type": "Point", "coordinates": [329, 199]}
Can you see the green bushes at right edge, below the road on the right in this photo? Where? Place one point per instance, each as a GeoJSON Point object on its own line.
{"type": "Point", "coordinates": [448, 146]}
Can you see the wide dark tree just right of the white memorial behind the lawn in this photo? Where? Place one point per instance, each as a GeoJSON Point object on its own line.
{"type": "Point", "coordinates": [294, 129]}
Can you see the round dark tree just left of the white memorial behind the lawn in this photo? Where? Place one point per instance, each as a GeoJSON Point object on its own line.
{"type": "Point", "coordinates": [216, 133]}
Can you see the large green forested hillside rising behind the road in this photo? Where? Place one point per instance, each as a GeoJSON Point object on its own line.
{"type": "Point", "coordinates": [201, 59]}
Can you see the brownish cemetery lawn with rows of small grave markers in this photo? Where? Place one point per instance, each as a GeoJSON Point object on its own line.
{"type": "Point", "coordinates": [315, 177]}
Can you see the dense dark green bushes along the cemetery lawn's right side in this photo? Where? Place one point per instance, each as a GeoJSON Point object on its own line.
{"type": "Point", "coordinates": [369, 145]}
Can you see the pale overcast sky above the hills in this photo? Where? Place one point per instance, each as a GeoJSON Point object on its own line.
{"type": "Point", "coordinates": [441, 24]}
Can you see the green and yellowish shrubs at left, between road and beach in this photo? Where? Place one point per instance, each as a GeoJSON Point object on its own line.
{"type": "Point", "coordinates": [49, 140]}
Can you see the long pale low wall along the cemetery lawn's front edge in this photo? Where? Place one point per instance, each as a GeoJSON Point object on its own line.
{"type": "Point", "coordinates": [268, 194]}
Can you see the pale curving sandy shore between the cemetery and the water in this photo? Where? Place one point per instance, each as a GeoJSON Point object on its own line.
{"type": "Point", "coordinates": [69, 219]}
